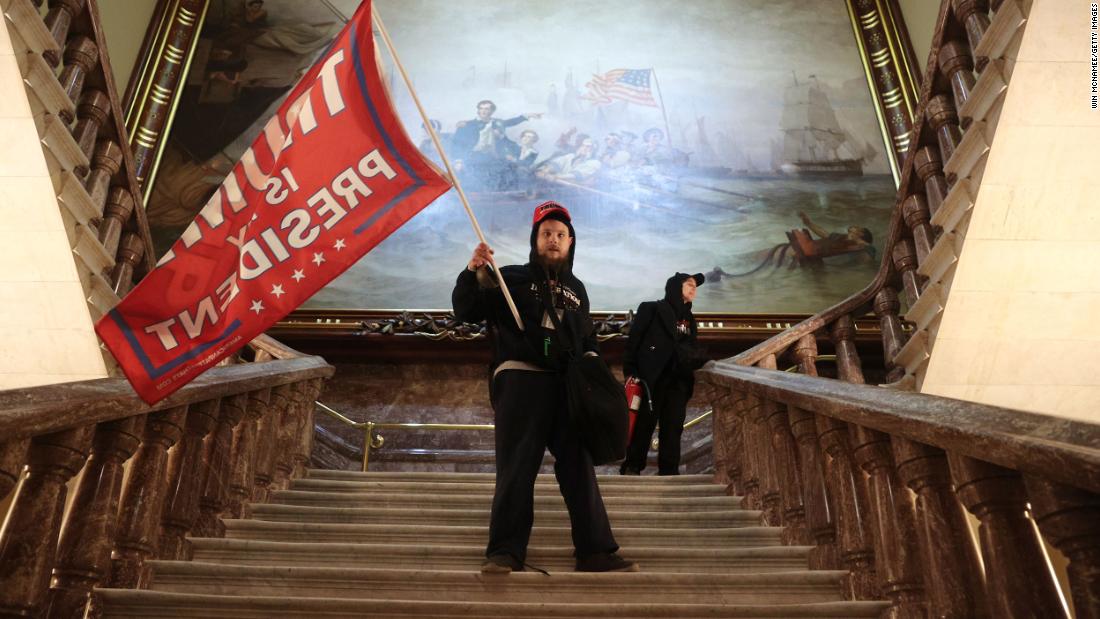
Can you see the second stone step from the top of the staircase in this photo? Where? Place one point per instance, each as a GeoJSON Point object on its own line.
{"type": "Point", "coordinates": [546, 487]}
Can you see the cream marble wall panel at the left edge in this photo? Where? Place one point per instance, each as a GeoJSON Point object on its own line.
{"type": "Point", "coordinates": [46, 329]}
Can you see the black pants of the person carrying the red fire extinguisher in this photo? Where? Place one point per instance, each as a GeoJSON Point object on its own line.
{"type": "Point", "coordinates": [670, 395]}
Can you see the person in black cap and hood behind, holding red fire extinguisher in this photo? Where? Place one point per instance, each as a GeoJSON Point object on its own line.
{"type": "Point", "coordinates": [663, 352]}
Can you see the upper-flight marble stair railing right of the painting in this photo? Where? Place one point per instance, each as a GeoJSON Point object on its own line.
{"type": "Point", "coordinates": [940, 180]}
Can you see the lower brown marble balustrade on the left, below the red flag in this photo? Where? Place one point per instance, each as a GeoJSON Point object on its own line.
{"type": "Point", "coordinates": [223, 443]}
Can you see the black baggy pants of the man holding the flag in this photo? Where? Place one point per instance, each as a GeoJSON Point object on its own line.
{"type": "Point", "coordinates": [531, 415]}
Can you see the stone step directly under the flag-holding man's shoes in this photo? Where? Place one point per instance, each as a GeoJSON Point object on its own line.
{"type": "Point", "coordinates": [529, 587]}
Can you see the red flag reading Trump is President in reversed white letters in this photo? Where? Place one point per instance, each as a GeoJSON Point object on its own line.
{"type": "Point", "coordinates": [332, 175]}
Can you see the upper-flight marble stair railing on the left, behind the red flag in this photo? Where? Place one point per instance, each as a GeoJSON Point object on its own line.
{"type": "Point", "coordinates": [62, 56]}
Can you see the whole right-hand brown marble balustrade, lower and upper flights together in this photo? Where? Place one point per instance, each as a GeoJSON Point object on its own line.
{"type": "Point", "coordinates": [881, 482]}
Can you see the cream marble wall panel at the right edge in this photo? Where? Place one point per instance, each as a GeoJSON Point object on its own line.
{"type": "Point", "coordinates": [1020, 325]}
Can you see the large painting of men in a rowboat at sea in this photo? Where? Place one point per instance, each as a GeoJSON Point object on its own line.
{"type": "Point", "coordinates": [735, 138]}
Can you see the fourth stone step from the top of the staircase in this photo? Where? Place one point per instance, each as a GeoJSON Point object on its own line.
{"type": "Point", "coordinates": [479, 516]}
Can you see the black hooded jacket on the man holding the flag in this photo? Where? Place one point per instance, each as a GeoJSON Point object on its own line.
{"type": "Point", "coordinates": [475, 304]}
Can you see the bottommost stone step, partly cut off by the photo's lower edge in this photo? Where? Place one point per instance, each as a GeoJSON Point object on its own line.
{"type": "Point", "coordinates": [146, 604]}
